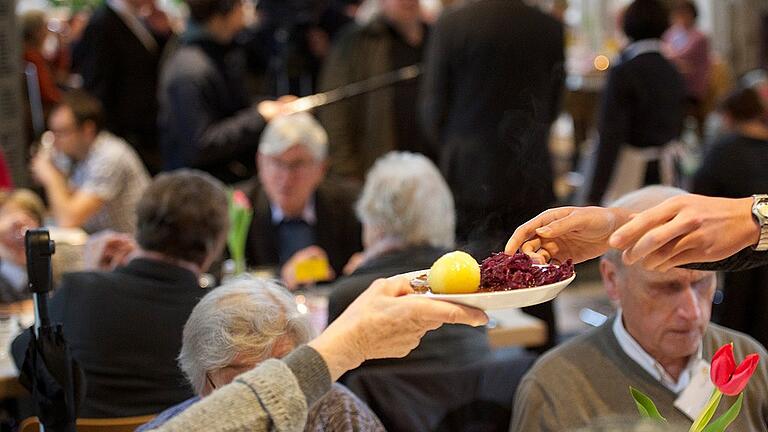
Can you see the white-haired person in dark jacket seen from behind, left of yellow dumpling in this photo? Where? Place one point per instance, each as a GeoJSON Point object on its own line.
{"type": "Point", "coordinates": [408, 218]}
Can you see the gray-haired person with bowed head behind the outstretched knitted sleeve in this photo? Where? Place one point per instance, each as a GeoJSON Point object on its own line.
{"type": "Point", "coordinates": [239, 325]}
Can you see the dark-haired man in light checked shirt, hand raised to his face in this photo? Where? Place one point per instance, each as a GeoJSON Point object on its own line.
{"type": "Point", "coordinates": [92, 179]}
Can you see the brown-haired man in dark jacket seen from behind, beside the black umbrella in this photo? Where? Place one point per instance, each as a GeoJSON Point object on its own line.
{"type": "Point", "coordinates": [124, 326]}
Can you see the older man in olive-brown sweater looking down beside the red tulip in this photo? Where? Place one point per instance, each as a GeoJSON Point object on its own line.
{"type": "Point", "coordinates": [660, 342]}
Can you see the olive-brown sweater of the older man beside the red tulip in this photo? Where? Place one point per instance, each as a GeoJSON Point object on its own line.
{"type": "Point", "coordinates": [588, 378]}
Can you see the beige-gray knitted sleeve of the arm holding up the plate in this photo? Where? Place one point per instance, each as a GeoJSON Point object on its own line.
{"type": "Point", "coordinates": [273, 396]}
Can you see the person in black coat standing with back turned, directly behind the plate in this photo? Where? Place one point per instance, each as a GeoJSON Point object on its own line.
{"type": "Point", "coordinates": [490, 91]}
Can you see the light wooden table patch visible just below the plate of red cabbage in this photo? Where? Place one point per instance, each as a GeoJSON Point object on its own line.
{"type": "Point", "coordinates": [513, 327]}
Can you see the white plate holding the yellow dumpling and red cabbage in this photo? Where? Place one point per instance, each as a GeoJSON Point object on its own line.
{"type": "Point", "coordinates": [501, 299]}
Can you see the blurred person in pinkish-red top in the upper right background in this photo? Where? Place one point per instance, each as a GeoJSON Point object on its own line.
{"type": "Point", "coordinates": [688, 48]}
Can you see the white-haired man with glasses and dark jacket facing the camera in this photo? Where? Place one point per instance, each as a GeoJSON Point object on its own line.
{"type": "Point", "coordinates": [298, 212]}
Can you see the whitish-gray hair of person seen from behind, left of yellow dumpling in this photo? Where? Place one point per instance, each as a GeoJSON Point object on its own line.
{"type": "Point", "coordinates": [407, 200]}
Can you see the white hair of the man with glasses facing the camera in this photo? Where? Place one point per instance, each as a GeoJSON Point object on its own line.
{"type": "Point", "coordinates": [283, 132]}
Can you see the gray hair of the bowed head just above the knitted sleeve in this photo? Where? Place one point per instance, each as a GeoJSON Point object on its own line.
{"type": "Point", "coordinates": [244, 316]}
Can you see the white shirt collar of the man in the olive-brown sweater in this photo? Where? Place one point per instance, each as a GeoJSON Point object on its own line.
{"type": "Point", "coordinates": [636, 352]}
